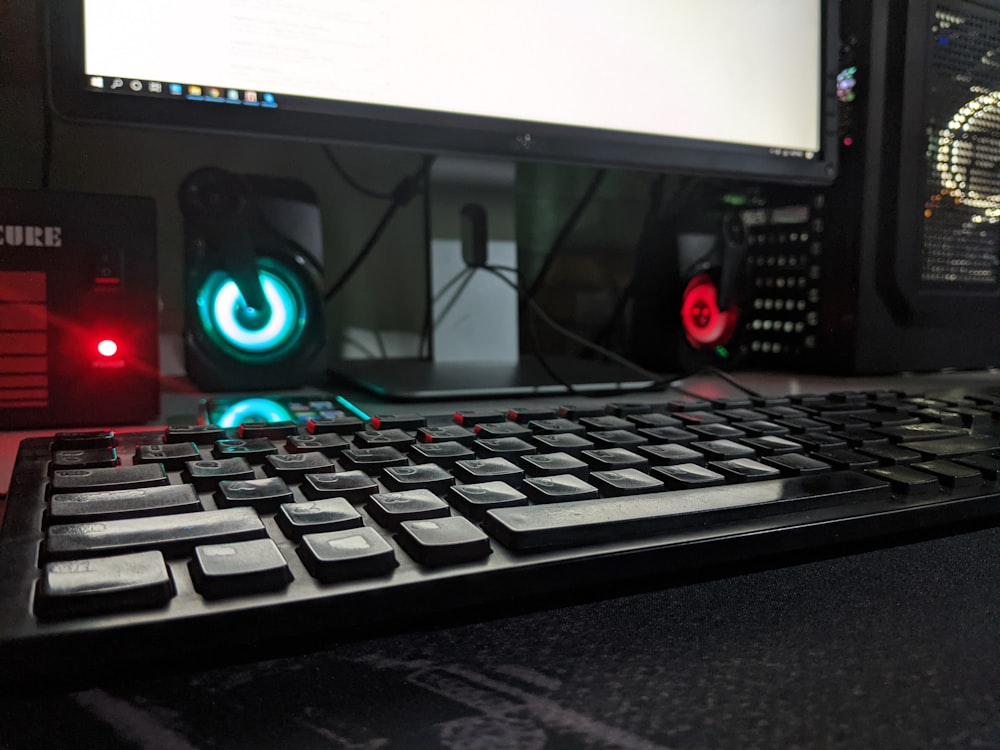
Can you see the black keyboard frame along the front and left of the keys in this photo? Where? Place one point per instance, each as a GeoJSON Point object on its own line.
{"type": "Point", "coordinates": [194, 629]}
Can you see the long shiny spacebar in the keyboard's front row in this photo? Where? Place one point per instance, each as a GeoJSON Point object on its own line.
{"type": "Point", "coordinates": [579, 522]}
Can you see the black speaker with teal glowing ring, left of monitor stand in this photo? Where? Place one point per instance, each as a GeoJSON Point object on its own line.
{"type": "Point", "coordinates": [253, 310]}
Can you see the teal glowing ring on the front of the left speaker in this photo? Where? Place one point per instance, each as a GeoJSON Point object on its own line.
{"type": "Point", "coordinates": [248, 334]}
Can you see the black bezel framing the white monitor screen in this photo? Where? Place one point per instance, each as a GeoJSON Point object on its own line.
{"type": "Point", "coordinates": [431, 132]}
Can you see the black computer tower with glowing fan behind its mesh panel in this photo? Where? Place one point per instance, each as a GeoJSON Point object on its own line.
{"type": "Point", "coordinates": [911, 254]}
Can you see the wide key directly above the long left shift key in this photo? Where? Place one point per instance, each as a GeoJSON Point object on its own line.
{"type": "Point", "coordinates": [79, 507]}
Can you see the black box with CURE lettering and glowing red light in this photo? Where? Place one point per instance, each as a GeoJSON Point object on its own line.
{"type": "Point", "coordinates": [79, 341]}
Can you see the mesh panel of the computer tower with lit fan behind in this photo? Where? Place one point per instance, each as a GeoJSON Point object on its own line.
{"type": "Point", "coordinates": [961, 225]}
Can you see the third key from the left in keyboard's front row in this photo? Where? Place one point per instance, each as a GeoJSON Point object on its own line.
{"type": "Point", "coordinates": [345, 555]}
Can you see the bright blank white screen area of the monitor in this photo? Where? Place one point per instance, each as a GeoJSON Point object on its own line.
{"type": "Point", "coordinates": [717, 70]}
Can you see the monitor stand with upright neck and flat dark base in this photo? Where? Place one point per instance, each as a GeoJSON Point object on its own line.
{"type": "Point", "coordinates": [474, 315]}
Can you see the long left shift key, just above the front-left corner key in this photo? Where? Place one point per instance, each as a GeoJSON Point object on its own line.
{"type": "Point", "coordinates": [174, 535]}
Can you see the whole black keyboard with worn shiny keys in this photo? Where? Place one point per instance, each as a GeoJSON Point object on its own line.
{"type": "Point", "coordinates": [140, 547]}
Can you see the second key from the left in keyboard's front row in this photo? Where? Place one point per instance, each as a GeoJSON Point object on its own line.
{"type": "Point", "coordinates": [238, 568]}
